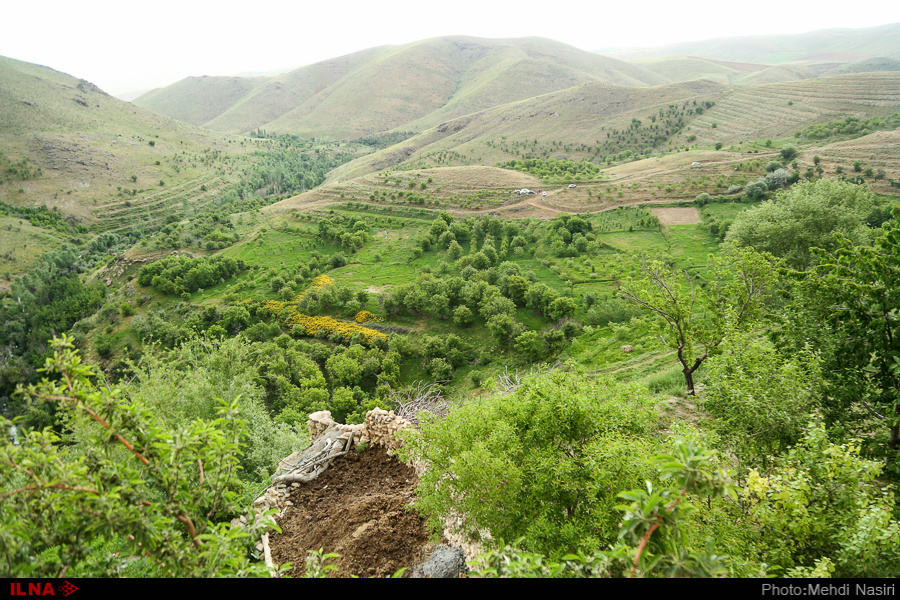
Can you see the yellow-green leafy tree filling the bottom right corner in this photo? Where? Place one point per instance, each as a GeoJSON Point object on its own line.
{"type": "Point", "coordinates": [819, 506]}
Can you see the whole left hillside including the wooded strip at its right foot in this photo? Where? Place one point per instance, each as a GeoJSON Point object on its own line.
{"type": "Point", "coordinates": [76, 162]}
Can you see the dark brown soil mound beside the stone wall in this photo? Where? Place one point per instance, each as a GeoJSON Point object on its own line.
{"type": "Point", "coordinates": [358, 509]}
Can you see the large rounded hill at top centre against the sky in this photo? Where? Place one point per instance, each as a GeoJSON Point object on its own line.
{"type": "Point", "coordinates": [415, 86]}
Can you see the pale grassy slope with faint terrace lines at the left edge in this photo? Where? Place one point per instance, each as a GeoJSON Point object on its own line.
{"type": "Point", "coordinates": [87, 146]}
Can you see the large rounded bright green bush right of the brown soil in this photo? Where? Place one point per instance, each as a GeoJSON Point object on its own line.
{"type": "Point", "coordinates": [545, 462]}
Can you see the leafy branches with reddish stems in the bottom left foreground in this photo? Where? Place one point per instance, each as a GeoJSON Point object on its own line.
{"type": "Point", "coordinates": [126, 476]}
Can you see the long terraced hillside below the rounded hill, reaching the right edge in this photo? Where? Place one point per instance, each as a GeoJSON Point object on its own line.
{"type": "Point", "coordinates": [595, 121]}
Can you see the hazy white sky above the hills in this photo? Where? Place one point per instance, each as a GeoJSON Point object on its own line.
{"type": "Point", "coordinates": [125, 46]}
